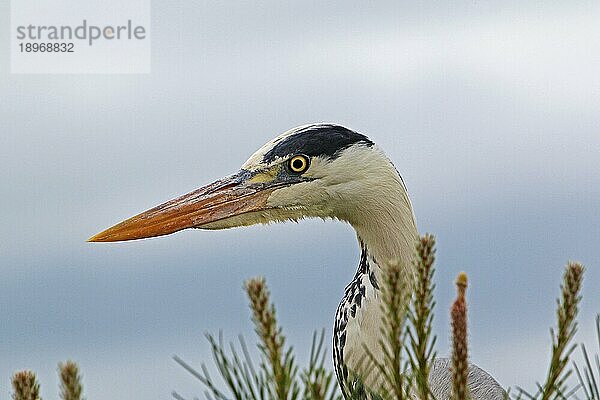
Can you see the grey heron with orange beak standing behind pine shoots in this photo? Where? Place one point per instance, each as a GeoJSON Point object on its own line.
{"type": "Point", "coordinates": [316, 171]}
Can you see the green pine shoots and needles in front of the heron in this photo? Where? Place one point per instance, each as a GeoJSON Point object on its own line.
{"type": "Point", "coordinates": [408, 343]}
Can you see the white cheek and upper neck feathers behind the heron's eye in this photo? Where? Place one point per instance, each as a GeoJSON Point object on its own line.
{"type": "Point", "coordinates": [362, 187]}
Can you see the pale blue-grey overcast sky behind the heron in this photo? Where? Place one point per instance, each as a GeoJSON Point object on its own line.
{"type": "Point", "coordinates": [490, 111]}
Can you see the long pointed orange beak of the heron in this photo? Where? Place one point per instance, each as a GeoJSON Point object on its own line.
{"type": "Point", "coordinates": [225, 198]}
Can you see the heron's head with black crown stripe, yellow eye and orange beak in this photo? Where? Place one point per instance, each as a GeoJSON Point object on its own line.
{"type": "Point", "coordinates": [320, 170]}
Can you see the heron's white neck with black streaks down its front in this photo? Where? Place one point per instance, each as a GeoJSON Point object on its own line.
{"type": "Point", "coordinates": [386, 235]}
